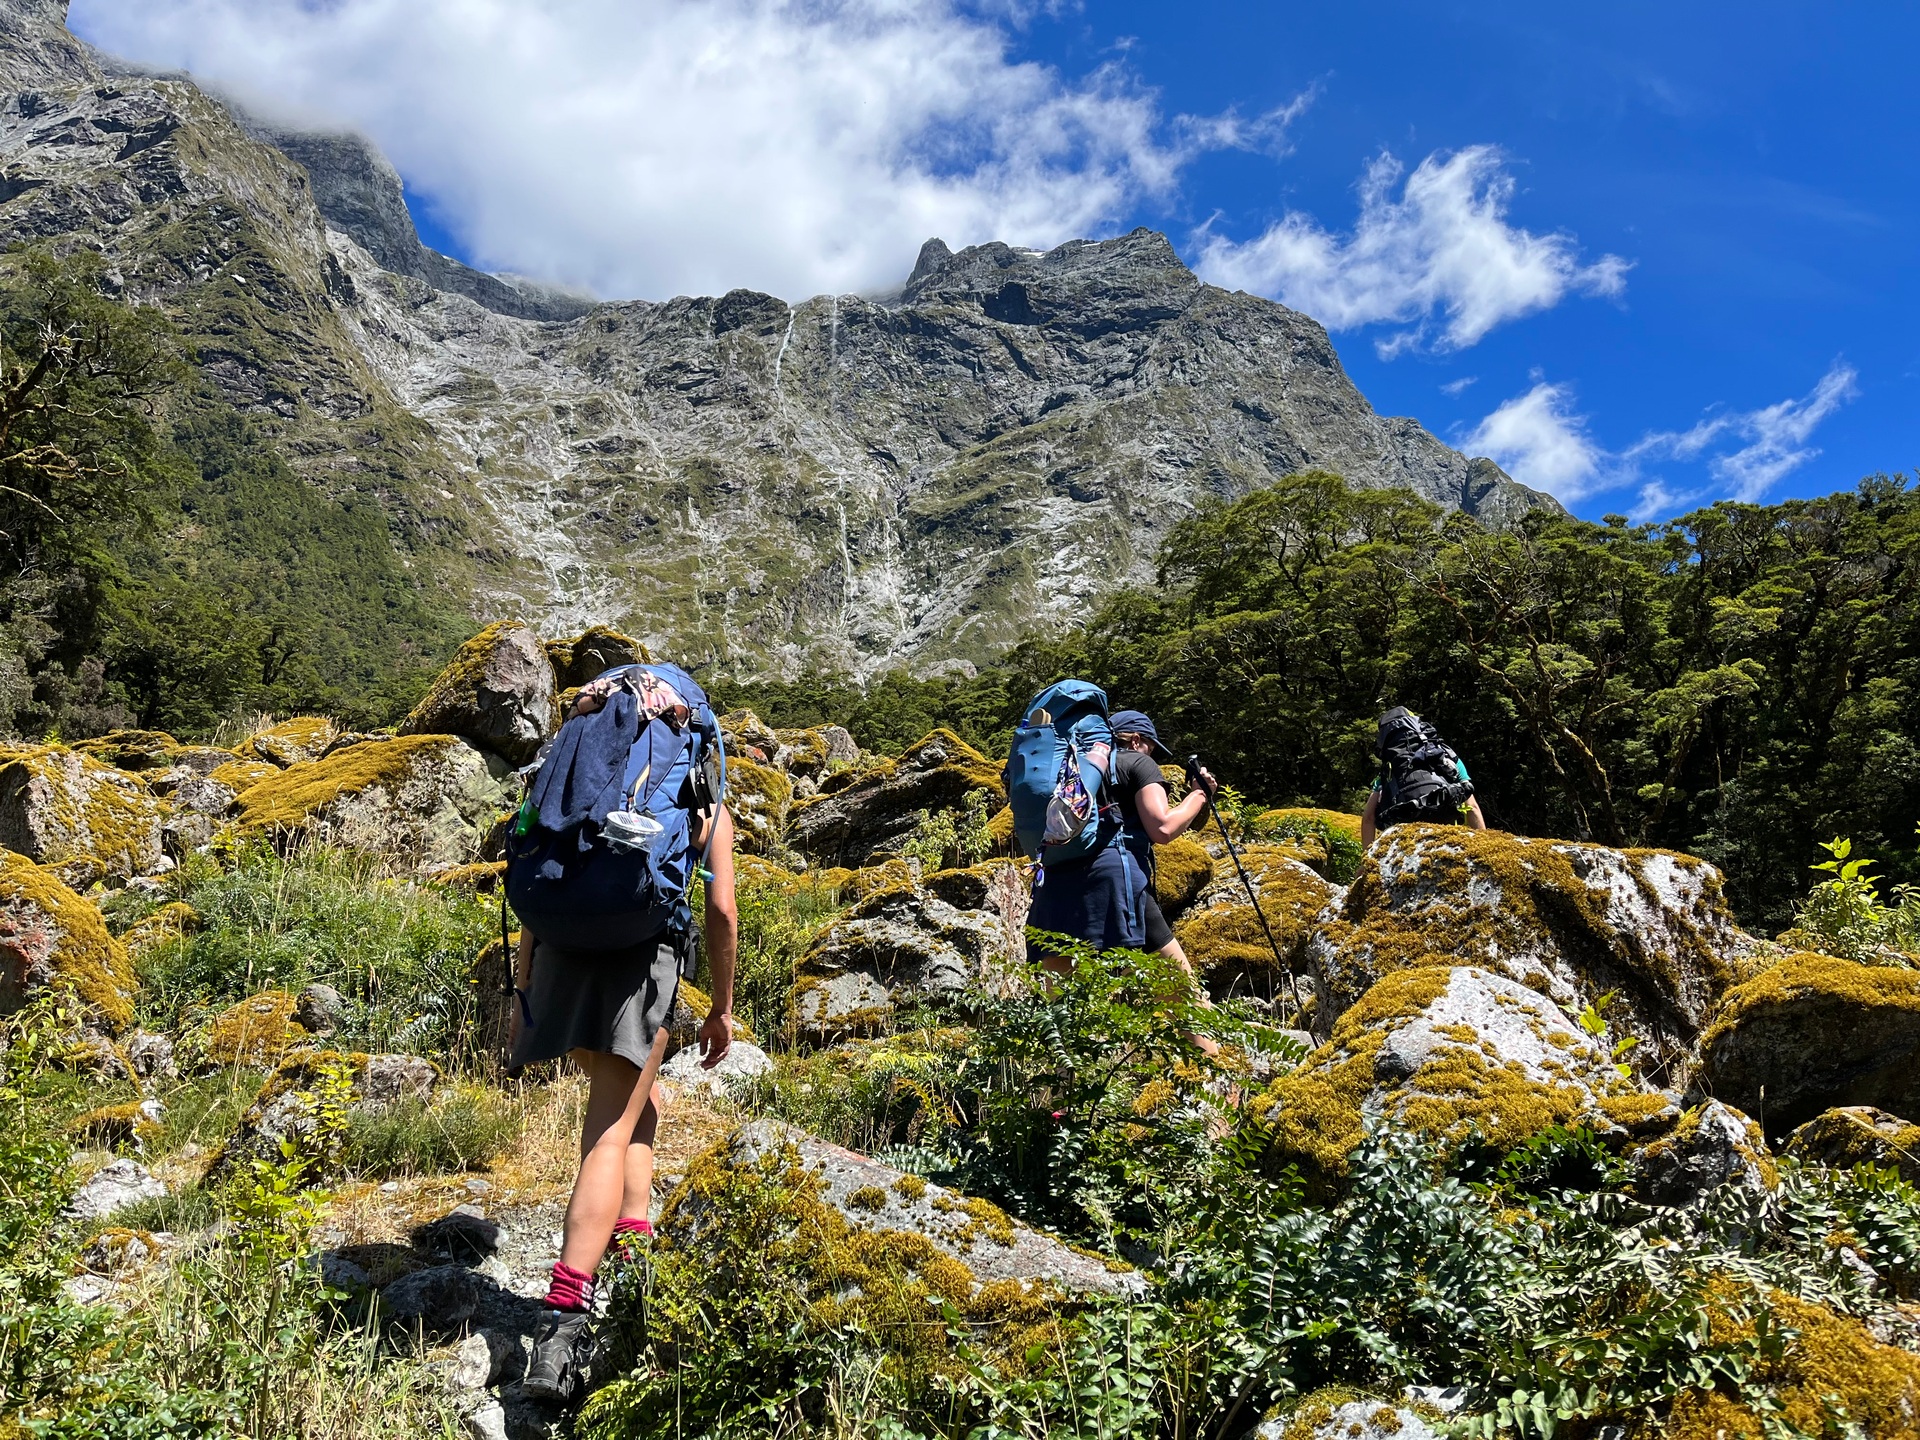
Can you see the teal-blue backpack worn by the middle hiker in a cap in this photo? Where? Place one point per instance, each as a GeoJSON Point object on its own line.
{"type": "Point", "coordinates": [1063, 800]}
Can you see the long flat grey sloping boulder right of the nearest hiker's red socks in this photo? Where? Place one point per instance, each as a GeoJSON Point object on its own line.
{"type": "Point", "coordinates": [876, 1199]}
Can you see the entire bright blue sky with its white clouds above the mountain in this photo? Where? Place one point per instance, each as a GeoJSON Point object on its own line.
{"type": "Point", "coordinates": [1646, 256]}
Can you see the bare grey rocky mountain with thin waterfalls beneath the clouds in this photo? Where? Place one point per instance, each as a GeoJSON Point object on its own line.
{"type": "Point", "coordinates": [848, 483]}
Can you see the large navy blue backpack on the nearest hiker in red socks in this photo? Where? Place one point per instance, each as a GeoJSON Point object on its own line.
{"type": "Point", "coordinates": [602, 853]}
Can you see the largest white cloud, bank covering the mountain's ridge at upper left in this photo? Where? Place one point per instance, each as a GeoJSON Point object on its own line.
{"type": "Point", "coordinates": [688, 147]}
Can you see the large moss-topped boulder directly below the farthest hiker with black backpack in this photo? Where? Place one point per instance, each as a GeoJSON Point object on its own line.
{"type": "Point", "coordinates": [1575, 921]}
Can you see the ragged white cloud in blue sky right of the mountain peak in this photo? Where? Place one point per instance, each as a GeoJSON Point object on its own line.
{"type": "Point", "coordinates": [1443, 249]}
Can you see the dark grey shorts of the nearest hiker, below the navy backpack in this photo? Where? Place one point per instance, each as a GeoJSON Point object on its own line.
{"type": "Point", "coordinates": [610, 1001]}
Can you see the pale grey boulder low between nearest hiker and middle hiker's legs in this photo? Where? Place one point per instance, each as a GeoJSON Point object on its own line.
{"type": "Point", "coordinates": [896, 944]}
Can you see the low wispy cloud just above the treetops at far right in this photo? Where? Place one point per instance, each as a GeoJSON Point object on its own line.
{"type": "Point", "coordinates": [1545, 443]}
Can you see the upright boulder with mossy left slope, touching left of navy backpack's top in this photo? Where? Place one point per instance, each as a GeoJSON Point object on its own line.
{"type": "Point", "coordinates": [498, 696]}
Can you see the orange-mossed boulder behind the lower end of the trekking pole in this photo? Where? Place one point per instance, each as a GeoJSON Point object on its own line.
{"type": "Point", "coordinates": [1222, 932]}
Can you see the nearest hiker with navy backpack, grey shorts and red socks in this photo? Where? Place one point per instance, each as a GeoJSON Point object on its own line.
{"type": "Point", "coordinates": [623, 815]}
